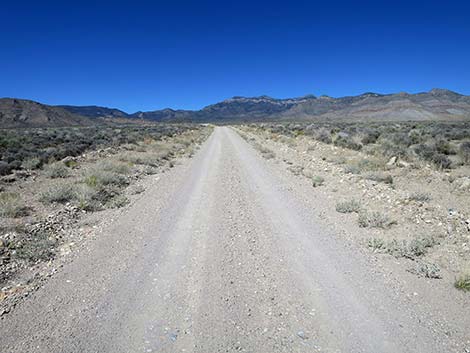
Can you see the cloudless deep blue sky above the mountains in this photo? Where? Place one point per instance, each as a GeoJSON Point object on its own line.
{"type": "Point", "coordinates": [146, 55]}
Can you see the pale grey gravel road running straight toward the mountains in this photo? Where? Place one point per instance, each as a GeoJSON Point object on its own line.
{"type": "Point", "coordinates": [219, 255]}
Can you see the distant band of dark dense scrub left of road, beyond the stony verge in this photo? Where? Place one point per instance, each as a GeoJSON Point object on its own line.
{"type": "Point", "coordinates": [30, 149]}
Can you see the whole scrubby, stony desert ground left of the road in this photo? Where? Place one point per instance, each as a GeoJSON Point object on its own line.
{"type": "Point", "coordinates": [50, 178]}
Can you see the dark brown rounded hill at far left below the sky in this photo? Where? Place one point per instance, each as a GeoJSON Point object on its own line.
{"type": "Point", "coordinates": [26, 113]}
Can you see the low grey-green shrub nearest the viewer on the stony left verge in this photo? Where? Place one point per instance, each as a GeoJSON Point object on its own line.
{"type": "Point", "coordinates": [38, 246]}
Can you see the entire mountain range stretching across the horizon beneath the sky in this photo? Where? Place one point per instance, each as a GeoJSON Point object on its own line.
{"type": "Point", "coordinates": [437, 104]}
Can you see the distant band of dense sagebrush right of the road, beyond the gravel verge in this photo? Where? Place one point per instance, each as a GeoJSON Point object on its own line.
{"type": "Point", "coordinates": [442, 144]}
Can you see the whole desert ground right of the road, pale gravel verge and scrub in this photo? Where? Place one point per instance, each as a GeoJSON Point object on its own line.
{"type": "Point", "coordinates": [402, 187]}
